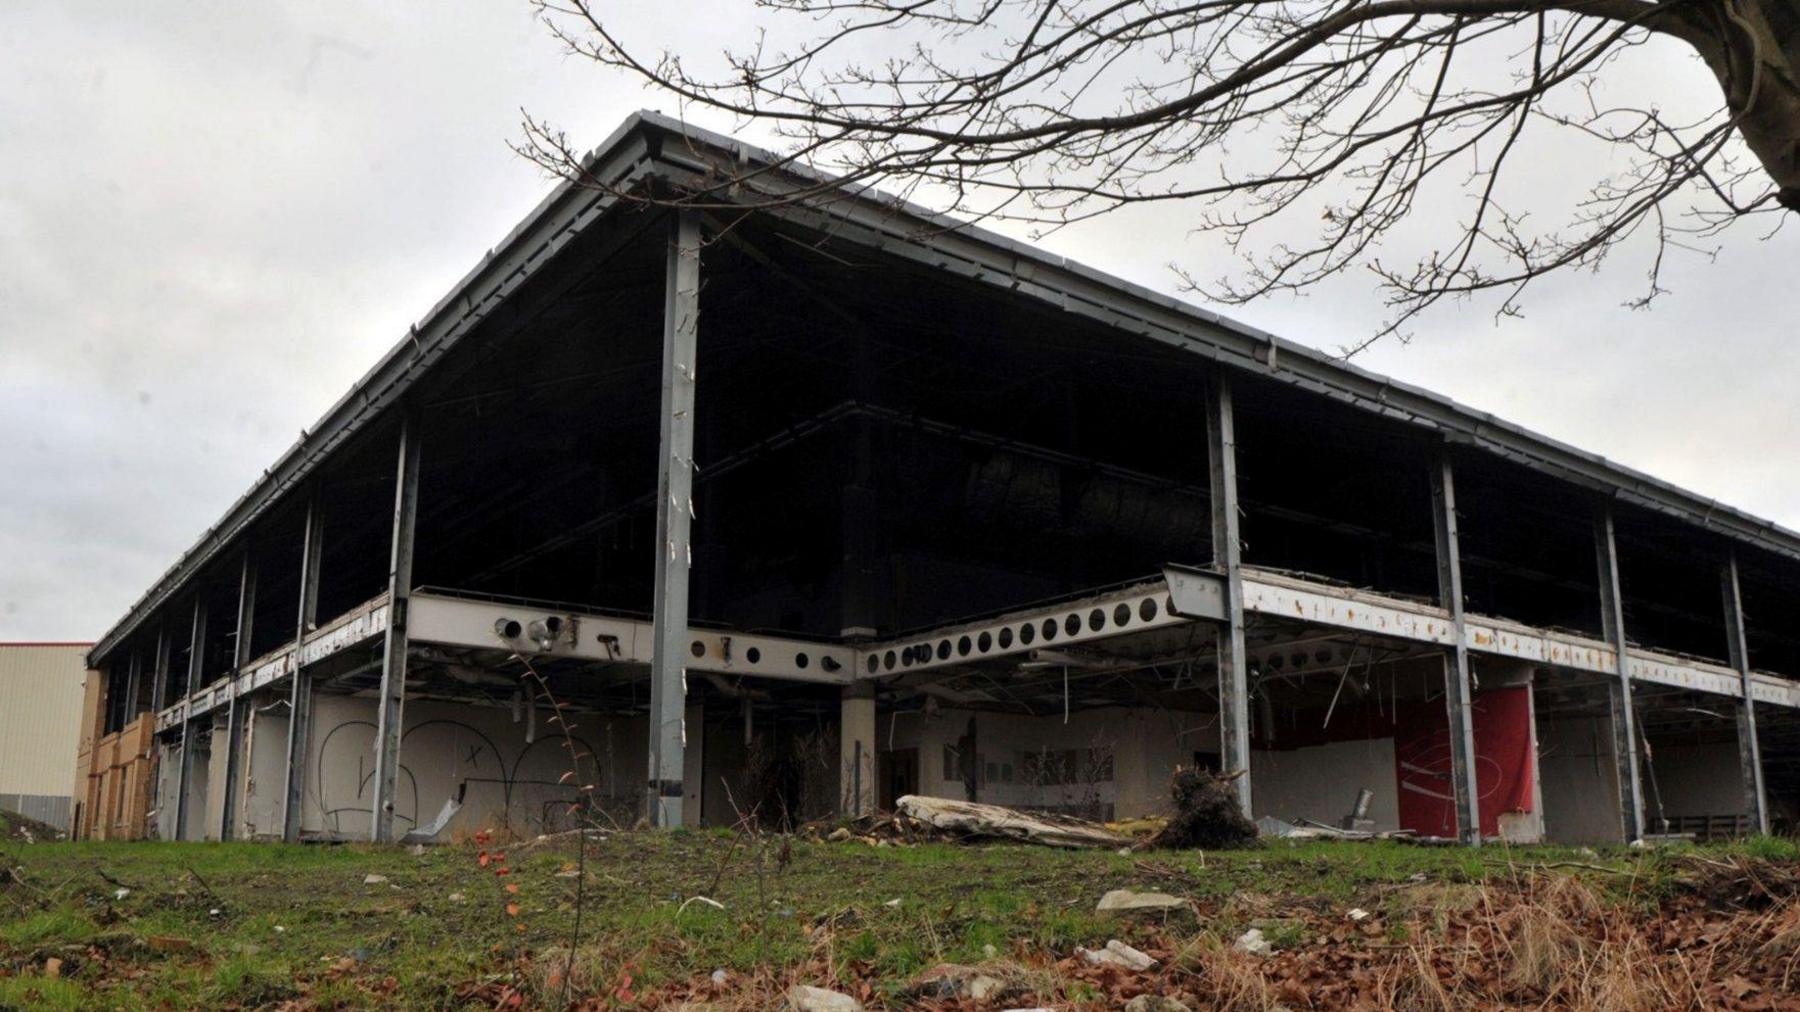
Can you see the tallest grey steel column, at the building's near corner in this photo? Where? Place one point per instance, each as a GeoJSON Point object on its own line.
{"type": "Point", "coordinates": [669, 678]}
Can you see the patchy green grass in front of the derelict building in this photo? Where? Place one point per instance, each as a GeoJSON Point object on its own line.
{"type": "Point", "coordinates": [260, 925]}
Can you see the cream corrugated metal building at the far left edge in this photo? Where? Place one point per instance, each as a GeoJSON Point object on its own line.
{"type": "Point", "coordinates": [40, 719]}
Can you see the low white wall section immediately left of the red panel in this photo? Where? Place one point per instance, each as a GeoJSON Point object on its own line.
{"type": "Point", "coordinates": [1322, 782]}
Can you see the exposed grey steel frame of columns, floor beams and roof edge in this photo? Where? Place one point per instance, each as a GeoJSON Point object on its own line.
{"type": "Point", "coordinates": [651, 149]}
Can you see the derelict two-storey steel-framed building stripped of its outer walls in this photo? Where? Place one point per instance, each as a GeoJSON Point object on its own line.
{"type": "Point", "coordinates": [778, 500]}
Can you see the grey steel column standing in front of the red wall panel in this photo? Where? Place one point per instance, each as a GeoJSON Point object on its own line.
{"type": "Point", "coordinates": [1459, 700]}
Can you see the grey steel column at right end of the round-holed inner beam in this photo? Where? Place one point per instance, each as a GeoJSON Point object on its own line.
{"type": "Point", "coordinates": [1234, 674]}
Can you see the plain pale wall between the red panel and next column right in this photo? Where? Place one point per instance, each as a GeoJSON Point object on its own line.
{"type": "Point", "coordinates": [1579, 781]}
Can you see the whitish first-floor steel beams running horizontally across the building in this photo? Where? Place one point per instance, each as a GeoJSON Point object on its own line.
{"type": "Point", "coordinates": [1158, 604]}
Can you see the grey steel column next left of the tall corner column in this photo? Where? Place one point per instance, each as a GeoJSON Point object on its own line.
{"type": "Point", "coordinates": [395, 642]}
